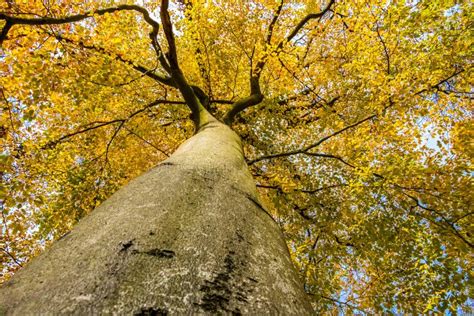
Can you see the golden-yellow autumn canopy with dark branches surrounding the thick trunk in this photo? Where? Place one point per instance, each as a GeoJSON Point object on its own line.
{"type": "Point", "coordinates": [355, 118]}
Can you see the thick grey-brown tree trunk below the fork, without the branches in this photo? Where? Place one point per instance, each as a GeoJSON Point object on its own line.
{"type": "Point", "coordinates": [189, 236]}
